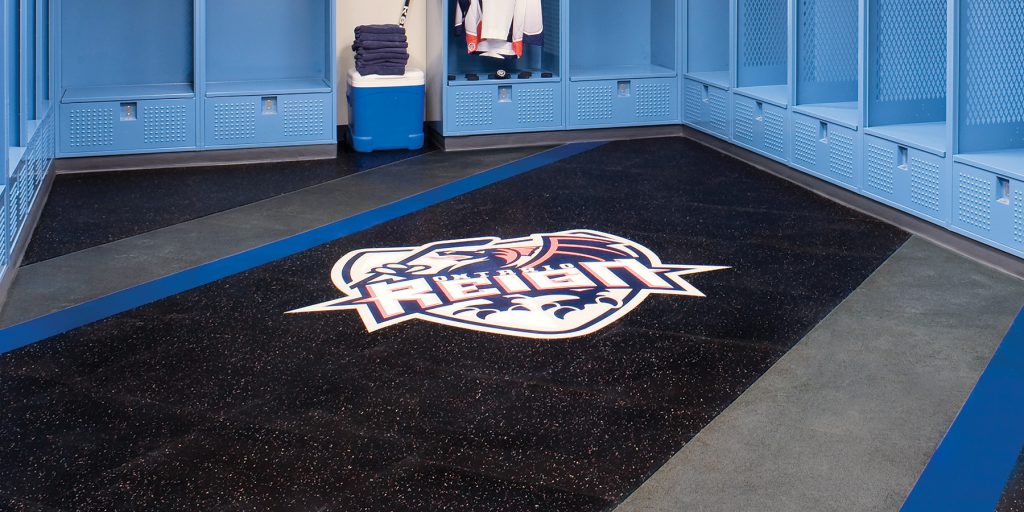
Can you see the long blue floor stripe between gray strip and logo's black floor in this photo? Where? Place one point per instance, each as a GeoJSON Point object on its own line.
{"type": "Point", "coordinates": [39, 329]}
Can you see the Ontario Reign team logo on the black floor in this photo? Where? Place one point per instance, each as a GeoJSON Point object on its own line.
{"type": "Point", "coordinates": [552, 286]}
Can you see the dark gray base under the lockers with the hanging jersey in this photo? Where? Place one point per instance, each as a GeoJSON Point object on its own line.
{"type": "Point", "coordinates": [505, 141]}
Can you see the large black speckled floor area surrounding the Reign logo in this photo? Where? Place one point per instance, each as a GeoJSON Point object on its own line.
{"type": "Point", "coordinates": [216, 400]}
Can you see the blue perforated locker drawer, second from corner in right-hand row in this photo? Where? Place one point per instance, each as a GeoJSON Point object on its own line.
{"type": "Point", "coordinates": [760, 126]}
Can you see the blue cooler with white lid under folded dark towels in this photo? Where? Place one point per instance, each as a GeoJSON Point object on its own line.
{"type": "Point", "coordinates": [386, 112]}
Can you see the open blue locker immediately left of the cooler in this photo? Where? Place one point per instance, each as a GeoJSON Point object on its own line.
{"type": "Point", "coordinates": [273, 86]}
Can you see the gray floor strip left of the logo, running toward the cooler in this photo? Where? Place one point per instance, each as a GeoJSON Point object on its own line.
{"type": "Point", "coordinates": [60, 283]}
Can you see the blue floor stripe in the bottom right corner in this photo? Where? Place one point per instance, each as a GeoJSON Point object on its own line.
{"type": "Point", "coordinates": [973, 463]}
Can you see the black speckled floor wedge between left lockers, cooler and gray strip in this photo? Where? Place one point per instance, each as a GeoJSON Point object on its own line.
{"type": "Point", "coordinates": [89, 210]}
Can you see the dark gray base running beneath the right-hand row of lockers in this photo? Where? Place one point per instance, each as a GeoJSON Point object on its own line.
{"type": "Point", "coordinates": [937, 235]}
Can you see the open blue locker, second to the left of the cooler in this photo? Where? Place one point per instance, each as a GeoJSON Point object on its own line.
{"type": "Point", "coordinates": [126, 87]}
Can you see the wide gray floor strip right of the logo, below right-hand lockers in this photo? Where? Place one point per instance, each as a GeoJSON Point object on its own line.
{"type": "Point", "coordinates": [850, 417]}
